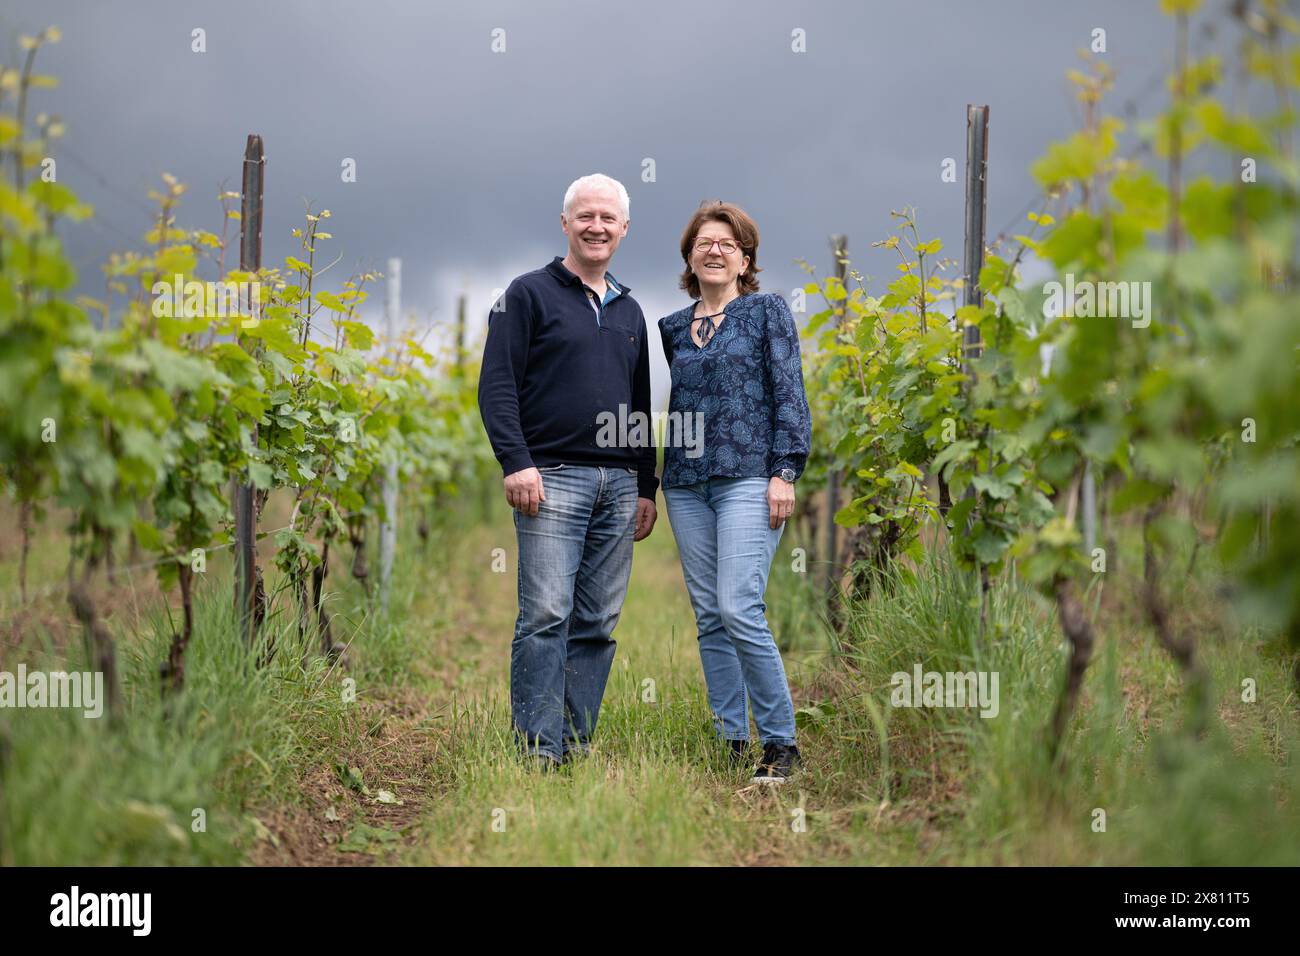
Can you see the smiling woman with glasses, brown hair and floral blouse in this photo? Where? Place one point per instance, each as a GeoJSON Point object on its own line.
{"type": "Point", "coordinates": [735, 361]}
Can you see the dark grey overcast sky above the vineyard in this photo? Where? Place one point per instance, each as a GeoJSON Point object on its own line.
{"type": "Point", "coordinates": [463, 154]}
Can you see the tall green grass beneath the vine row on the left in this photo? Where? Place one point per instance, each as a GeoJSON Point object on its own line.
{"type": "Point", "coordinates": [175, 781]}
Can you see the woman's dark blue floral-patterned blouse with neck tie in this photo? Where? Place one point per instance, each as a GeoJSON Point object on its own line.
{"type": "Point", "coordinates": [747, 384]}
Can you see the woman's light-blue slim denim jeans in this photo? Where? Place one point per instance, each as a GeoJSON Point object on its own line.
{"type": "Point", "coordinates": [727, 550]}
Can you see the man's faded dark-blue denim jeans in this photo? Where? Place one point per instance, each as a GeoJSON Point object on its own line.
{"type": "Point", "coordinates": [575, 559]}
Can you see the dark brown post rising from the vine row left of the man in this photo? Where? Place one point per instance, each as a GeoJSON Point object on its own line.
{"type": "Point", "coordinates": [246, 517]}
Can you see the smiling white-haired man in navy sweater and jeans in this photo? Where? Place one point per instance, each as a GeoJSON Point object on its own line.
{"type": "Point", "coordinates": [566, 349]}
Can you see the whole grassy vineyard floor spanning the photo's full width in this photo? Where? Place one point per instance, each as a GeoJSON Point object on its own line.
{"type": "Point", "coordinates": [405, 754]}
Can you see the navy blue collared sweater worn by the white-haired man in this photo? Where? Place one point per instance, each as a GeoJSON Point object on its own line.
{"type": "Point", "coordinates": [554, 373]}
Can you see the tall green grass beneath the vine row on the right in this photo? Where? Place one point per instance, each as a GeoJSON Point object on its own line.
{"type": "Point", "coordinates": [989, 785]}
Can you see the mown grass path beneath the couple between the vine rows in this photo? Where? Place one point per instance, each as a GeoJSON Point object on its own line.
{"type": "Point", "coordinates": [655, 791]}
